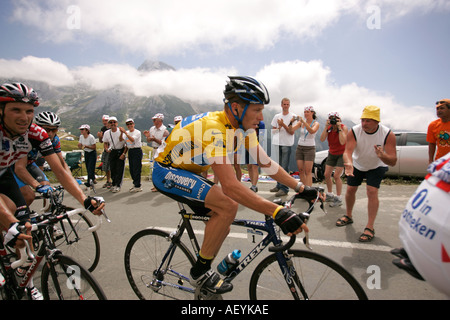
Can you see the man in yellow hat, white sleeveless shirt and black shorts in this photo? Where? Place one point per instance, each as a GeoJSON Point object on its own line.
{"type": "Point", "coordinates": [369, 150]}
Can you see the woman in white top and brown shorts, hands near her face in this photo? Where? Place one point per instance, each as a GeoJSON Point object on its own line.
{"type": "Point", "coordinates": [306, 149]}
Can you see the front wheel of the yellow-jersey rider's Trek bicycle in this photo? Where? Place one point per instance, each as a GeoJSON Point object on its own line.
{"type": "Point", "coordinates": [313, 275]}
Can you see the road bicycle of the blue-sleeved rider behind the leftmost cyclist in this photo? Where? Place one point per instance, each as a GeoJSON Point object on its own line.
{"type": "Point", "coordinates": [77, 236]}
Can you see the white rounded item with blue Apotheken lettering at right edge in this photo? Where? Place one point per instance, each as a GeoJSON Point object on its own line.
{"type": "Point", "coordinates": [424, 226]}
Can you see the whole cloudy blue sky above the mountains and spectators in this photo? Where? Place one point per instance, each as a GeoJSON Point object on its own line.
{"type": "Point", "coordinates": [318, 52]}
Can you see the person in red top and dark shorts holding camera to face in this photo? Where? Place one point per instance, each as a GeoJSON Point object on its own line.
{"type": "Point", "coordinates": [336, 134]}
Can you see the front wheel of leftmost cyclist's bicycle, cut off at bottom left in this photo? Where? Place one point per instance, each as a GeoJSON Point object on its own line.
{"type": "Point", "coordinates": [65, 279]}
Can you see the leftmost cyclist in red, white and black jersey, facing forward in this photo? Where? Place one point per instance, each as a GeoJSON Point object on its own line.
{"type": "Point", "coordinates": [18, 135]}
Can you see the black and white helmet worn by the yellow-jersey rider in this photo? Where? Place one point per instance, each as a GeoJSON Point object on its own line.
{"type": "Point", "coordinates": [248, 89]}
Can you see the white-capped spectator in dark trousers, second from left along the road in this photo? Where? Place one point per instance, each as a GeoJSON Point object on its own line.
{"type": "Point", "coordinates": [115, 143]}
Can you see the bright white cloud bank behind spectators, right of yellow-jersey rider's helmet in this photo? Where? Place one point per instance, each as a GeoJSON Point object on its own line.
{"type": "Point", "coordinates": [310, 83]}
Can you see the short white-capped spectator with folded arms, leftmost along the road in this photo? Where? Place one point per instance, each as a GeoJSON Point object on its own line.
{"type": "Point", "coordinates": [87, 143]}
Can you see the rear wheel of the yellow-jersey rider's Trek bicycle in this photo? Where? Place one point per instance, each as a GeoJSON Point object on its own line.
{"type": "Point", "coordinates": [154, 271]}
